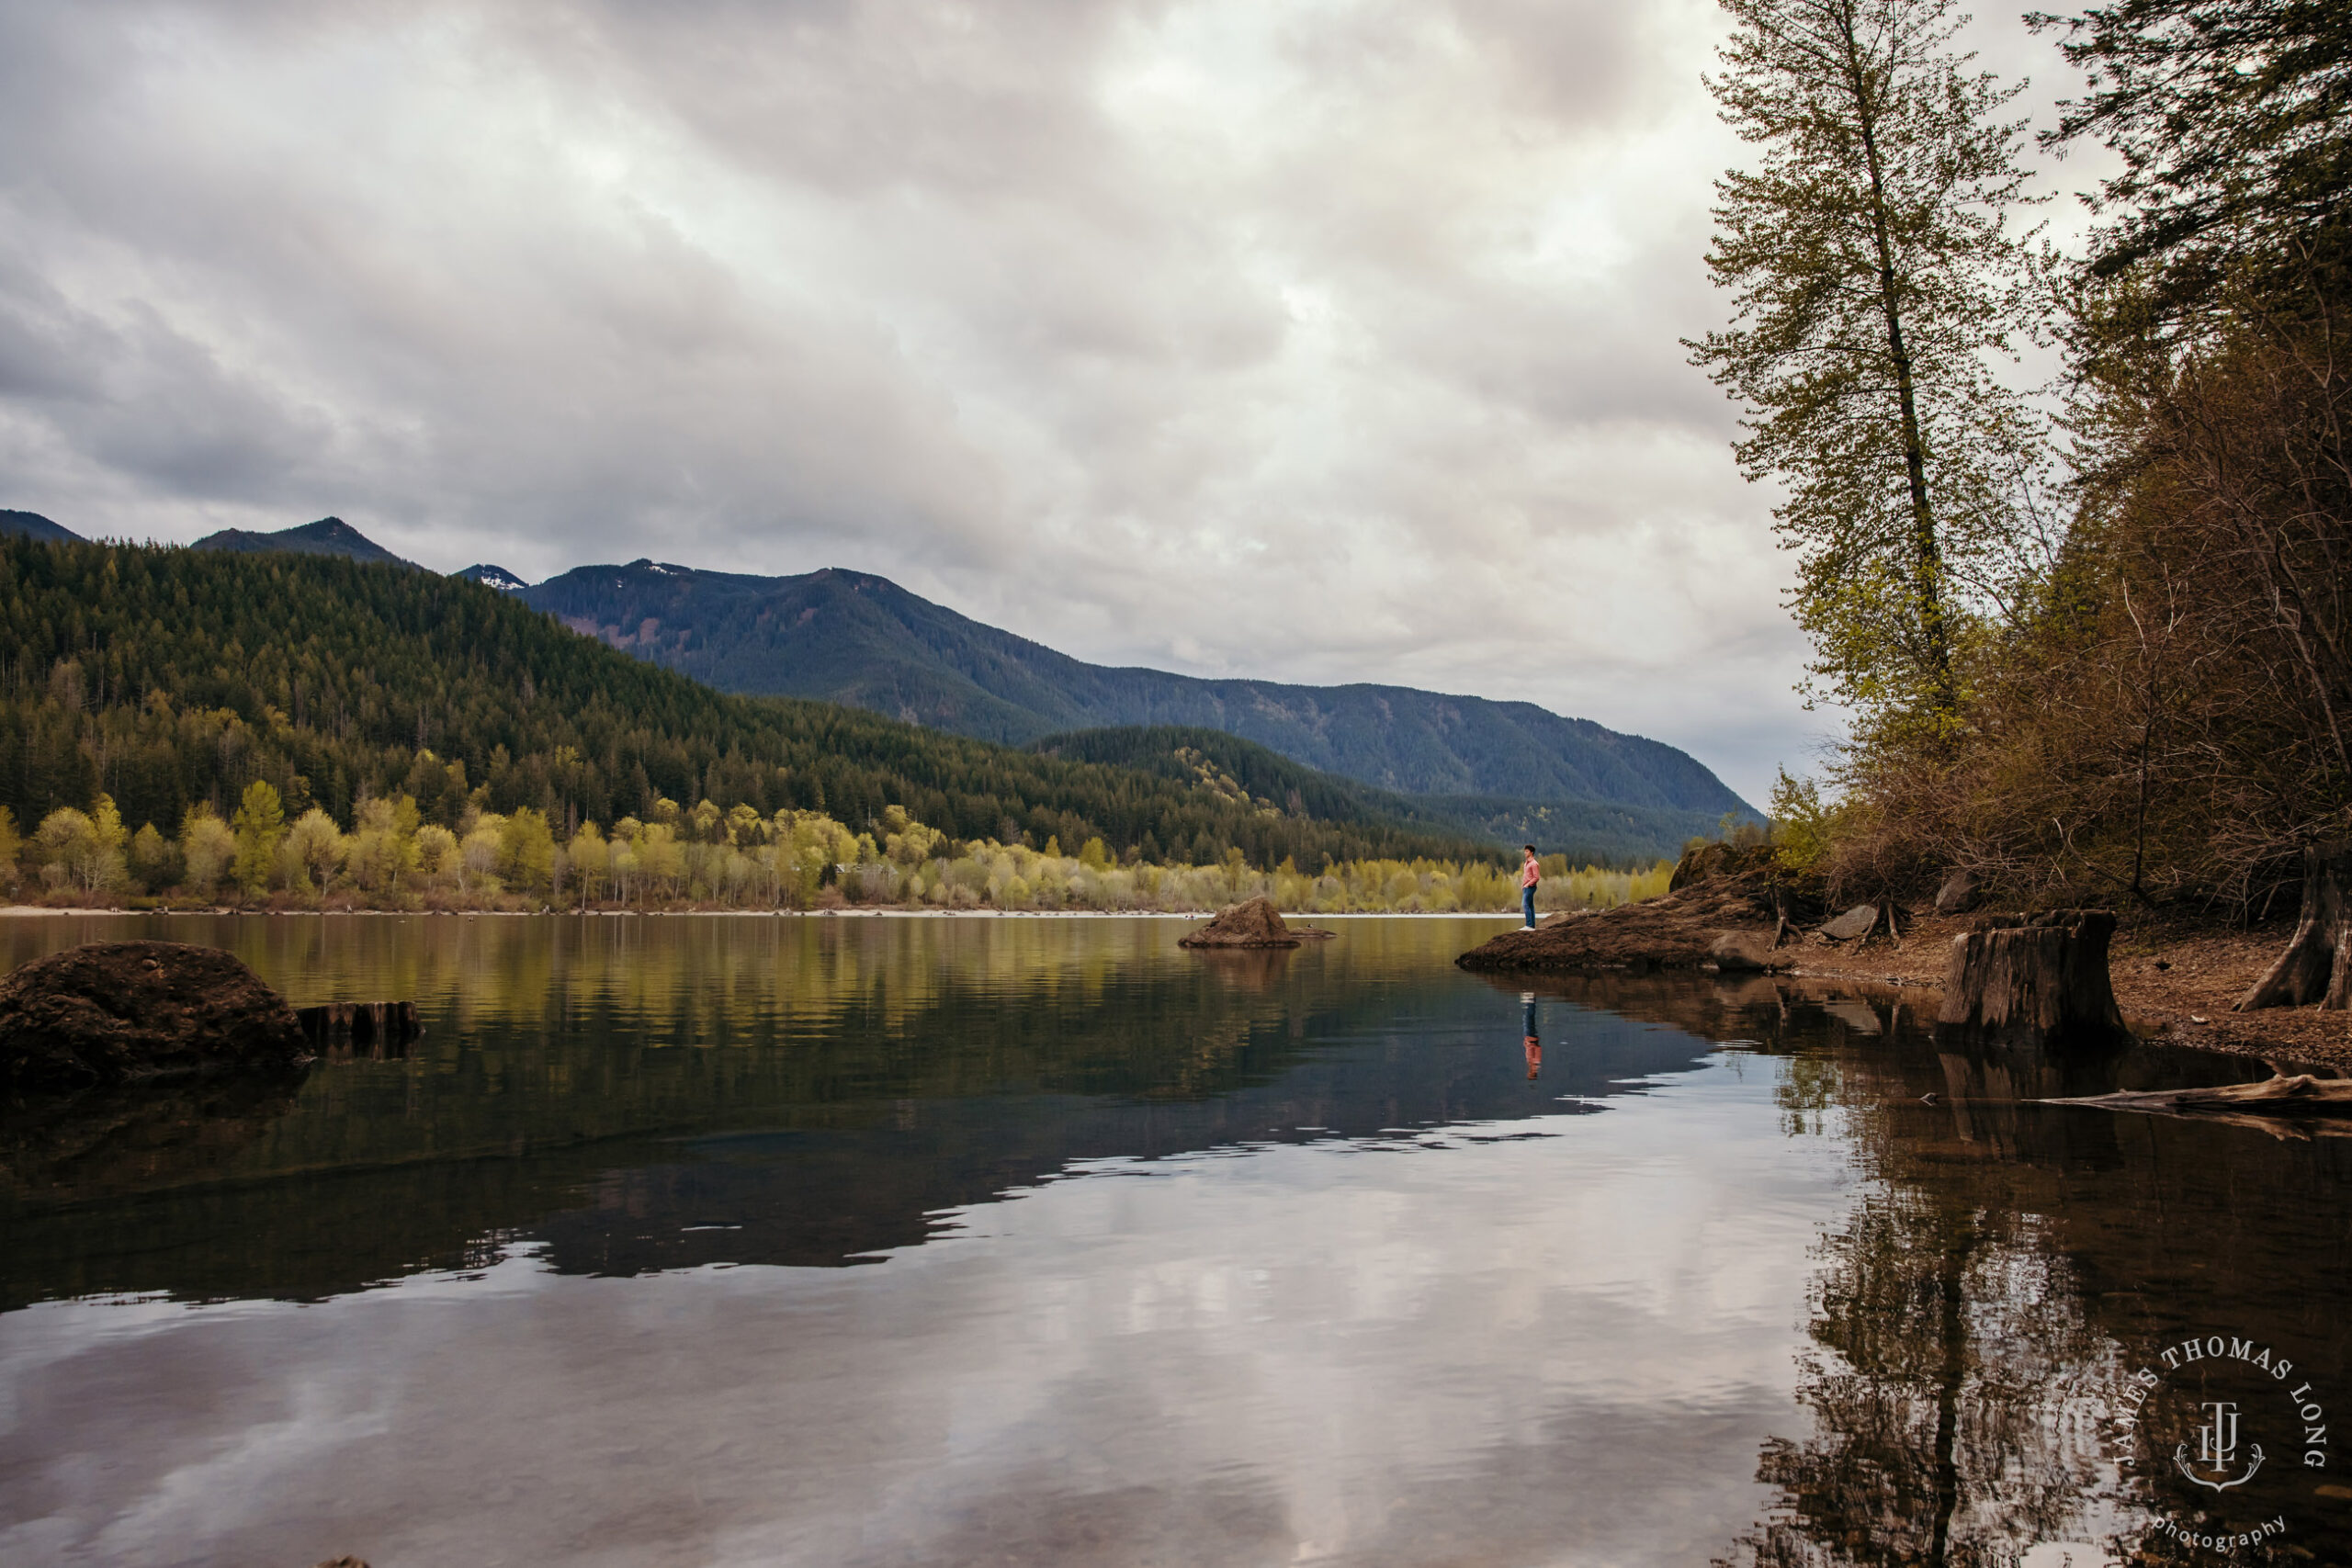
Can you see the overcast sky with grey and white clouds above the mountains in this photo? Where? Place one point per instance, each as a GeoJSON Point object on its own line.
{"type": "Point", "coordinates": [1321, 342]}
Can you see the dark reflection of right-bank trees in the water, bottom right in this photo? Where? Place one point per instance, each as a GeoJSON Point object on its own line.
{"type": "Point", "coordinates": [1998, 1275]}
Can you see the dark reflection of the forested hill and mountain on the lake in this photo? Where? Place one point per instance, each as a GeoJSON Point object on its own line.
{"type": "Point", "coordinates": [674, 1094]}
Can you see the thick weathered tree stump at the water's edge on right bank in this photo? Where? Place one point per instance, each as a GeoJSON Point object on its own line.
{"type": "Point", "coordinates": [2040, 979]}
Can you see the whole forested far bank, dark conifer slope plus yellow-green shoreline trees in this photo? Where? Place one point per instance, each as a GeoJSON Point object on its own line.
{"type": "Point", "coordinates": [283, 730]}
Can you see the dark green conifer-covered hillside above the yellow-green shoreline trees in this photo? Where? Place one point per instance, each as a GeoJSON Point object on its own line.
{"type": "Point", "coordinates": [166, 678]}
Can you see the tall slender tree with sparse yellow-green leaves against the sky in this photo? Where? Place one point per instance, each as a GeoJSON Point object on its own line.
{"type": "Point", "coordinates": [1878, 286]}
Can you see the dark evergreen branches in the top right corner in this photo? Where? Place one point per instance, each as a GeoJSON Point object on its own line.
{"type": "Point", "coordinates": [2233, 121]}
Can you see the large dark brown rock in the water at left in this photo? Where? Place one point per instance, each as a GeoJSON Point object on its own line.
{"type": "Point", "coordinates": [116, 1012]}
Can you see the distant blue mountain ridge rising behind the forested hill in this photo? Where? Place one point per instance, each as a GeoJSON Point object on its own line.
{"type": "Point", "coordinates": [864, 641]}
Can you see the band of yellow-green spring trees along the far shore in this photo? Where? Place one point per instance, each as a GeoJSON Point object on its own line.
{"type": "Point", "coordinates": [747, 862]}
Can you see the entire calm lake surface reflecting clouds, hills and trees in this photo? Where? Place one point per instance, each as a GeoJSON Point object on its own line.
{"type": "Point", "coordinates": [1045, 1242]}
